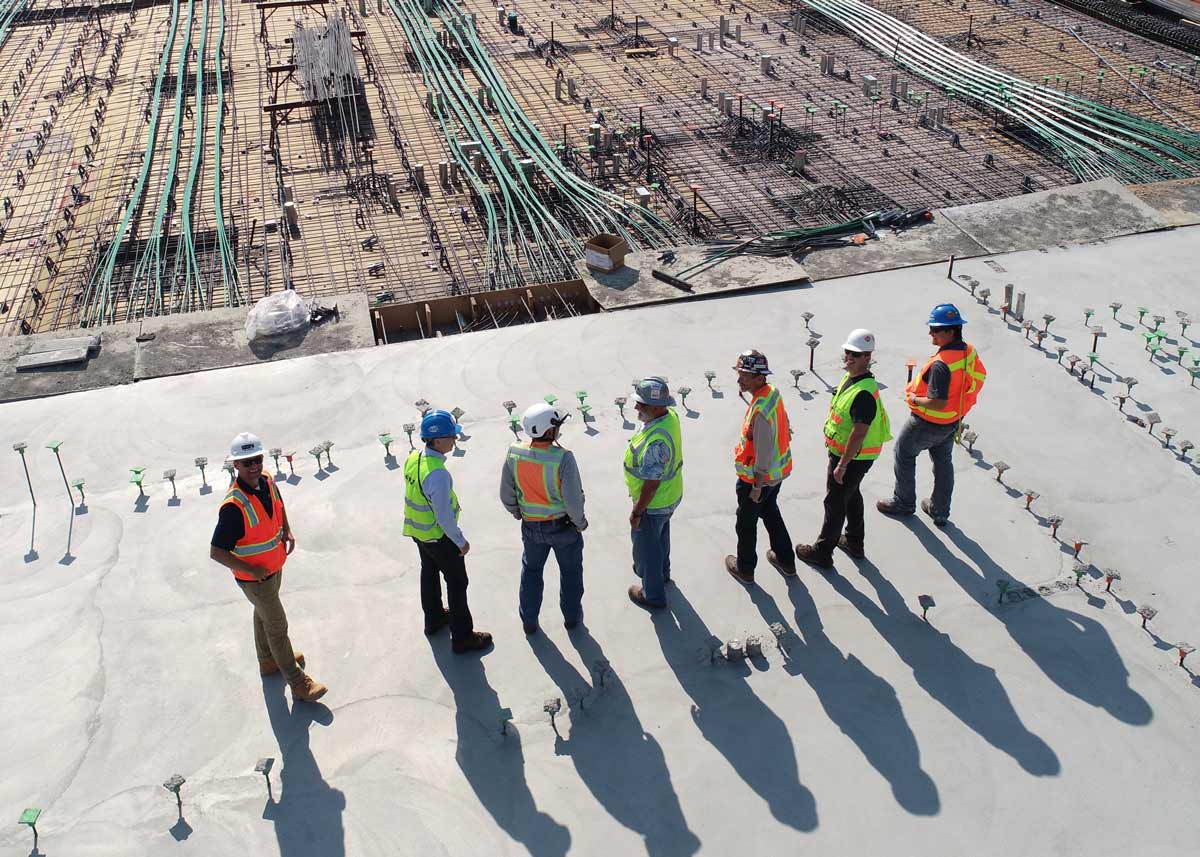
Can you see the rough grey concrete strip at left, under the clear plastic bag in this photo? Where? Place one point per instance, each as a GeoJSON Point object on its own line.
{"type": "Point", "coordinates": [177, 345]}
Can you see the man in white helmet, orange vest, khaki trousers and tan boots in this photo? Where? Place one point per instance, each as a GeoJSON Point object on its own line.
{"type": "Point", "coordinates": [254, 540]}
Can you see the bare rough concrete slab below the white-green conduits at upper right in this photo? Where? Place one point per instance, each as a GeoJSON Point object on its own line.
{"type": "Point", "coordinates": [1088, 212]}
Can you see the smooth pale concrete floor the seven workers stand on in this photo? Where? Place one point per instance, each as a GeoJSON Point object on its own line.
{"type": "Point", "coordinates": [1053, 726]}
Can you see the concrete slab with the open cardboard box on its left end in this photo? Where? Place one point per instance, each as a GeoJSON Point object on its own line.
{"type": "Point", "coordinates": [634, 286]}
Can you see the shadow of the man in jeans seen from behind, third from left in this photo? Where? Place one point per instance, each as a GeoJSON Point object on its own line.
{"type": "Point", "coordinates": [617, 760]}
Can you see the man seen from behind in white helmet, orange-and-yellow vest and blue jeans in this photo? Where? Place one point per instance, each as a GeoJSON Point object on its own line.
{"type": "Point", "coordinates": [541, 488]}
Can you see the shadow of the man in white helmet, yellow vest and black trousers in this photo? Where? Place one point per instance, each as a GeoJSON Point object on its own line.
{"type": "Point", "coordinates": [967, 688]}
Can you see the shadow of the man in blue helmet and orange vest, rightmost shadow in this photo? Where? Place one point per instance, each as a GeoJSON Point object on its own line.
{"type": "Point", "coordinates": [1071, 649]}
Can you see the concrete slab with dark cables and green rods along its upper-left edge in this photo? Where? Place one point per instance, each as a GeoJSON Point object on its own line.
{"type": "Point", "coordinates": [934, 242]}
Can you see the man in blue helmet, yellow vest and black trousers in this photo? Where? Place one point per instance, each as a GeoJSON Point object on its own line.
{"type": "Point", "coordinates": [431, 519]}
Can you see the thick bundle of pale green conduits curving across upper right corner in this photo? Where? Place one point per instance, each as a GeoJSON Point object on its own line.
{"type": "Point", "coordinates": [1090, 140]}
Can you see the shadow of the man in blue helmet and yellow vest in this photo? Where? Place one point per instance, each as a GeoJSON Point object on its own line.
{"type": "Point", "coordinates": [495, 766]}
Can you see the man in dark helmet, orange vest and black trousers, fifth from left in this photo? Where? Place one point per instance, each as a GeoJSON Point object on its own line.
{"type": "Point", "coordinates": [763, 460]}
